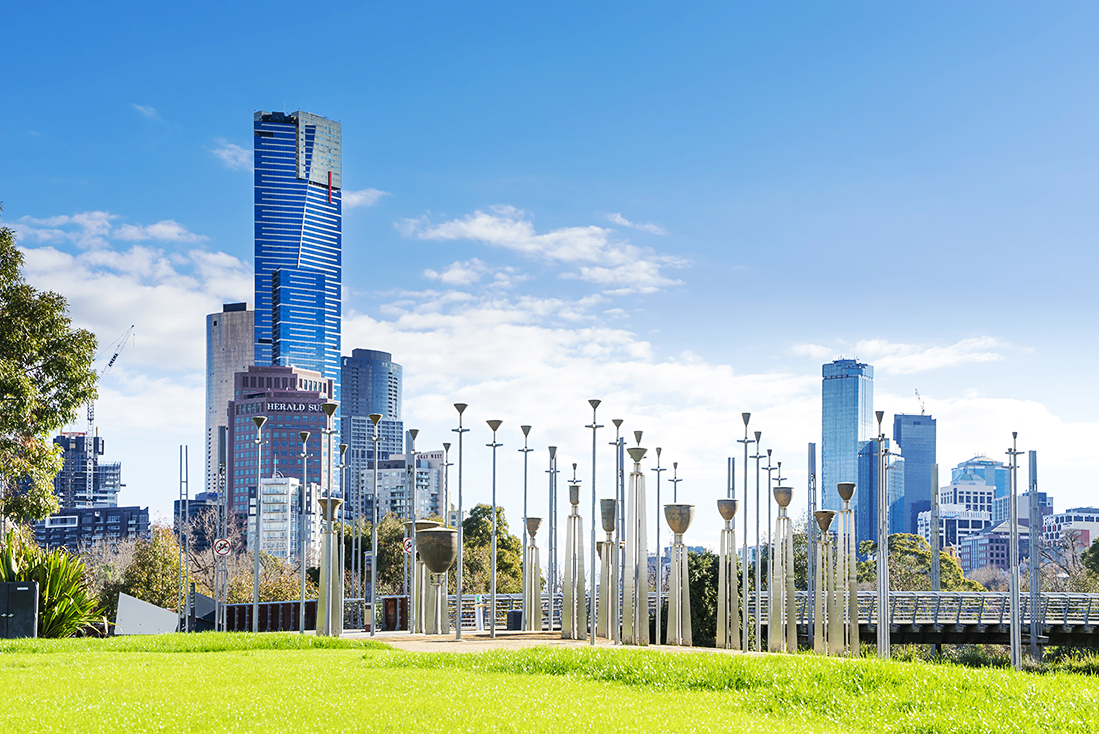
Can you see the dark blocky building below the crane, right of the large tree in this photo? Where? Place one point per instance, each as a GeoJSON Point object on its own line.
{"type": "Point", "coordinates": [72, 486]}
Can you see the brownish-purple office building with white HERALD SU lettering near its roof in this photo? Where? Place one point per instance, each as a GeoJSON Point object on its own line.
{"type": "Point", "coordinates": [291, 398]}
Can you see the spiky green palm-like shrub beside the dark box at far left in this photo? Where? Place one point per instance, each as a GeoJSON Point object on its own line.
{"type": "Point", "coordinates": [66, 604]}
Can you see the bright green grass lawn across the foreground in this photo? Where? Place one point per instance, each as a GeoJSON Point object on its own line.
{"type": "Point", "coordinates": [290, 683]}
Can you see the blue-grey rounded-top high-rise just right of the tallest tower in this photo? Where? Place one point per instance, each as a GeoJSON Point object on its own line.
{"type": "Point", "coordinates": [371, 383]}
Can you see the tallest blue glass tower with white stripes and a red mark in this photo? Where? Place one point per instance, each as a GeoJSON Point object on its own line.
{"type": "Point", "coordinates": [298, 242]}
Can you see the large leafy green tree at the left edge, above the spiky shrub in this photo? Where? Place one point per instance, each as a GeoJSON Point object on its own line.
{"type": "Point", "coordinates": [46, 376]}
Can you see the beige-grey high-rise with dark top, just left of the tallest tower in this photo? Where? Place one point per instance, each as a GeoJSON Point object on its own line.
{"type": "Point", "coordinates": [230, 350]}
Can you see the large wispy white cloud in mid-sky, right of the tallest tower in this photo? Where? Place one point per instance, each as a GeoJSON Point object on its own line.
{"type": "Point", "coordinates": [618, 266]}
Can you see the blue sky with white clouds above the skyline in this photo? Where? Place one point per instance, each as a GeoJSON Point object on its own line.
{"type": "Point", "coordinates": [682, 209]}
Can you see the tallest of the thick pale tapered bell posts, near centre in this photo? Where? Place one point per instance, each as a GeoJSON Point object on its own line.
{"type": "Point", "coordinates": [636, 583]}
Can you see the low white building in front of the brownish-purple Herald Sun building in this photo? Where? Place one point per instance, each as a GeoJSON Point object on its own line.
{"type": "Point", "coordinates": [281, 521]}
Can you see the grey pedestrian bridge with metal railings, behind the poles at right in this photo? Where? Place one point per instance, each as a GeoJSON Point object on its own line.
{"type": "Point", "coordinates": [960, 618]}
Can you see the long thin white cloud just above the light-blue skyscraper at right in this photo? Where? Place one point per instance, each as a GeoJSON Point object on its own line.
{"type": "Point", "coordinates": [897, 359]}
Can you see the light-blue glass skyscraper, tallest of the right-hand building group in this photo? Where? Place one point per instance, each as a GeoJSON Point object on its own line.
{"type": "Point", "coordinates": [848, 421]}
